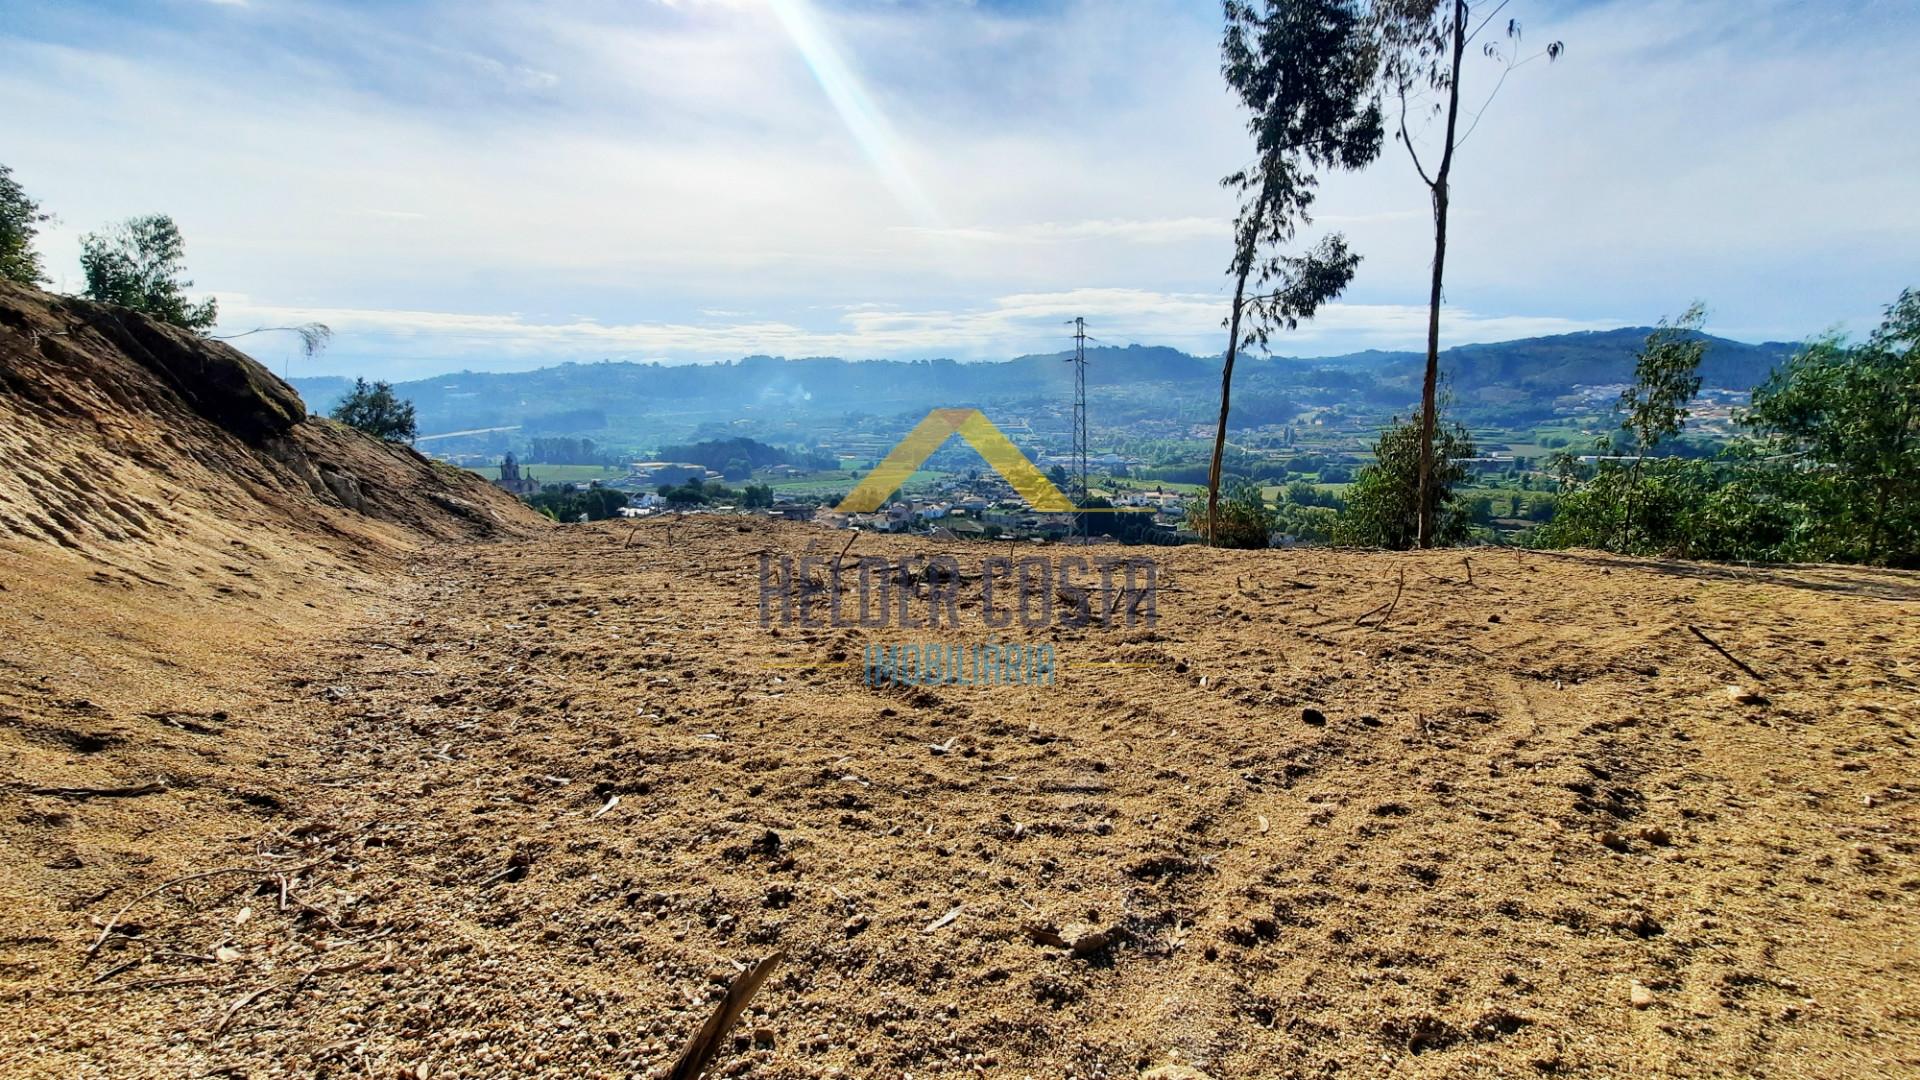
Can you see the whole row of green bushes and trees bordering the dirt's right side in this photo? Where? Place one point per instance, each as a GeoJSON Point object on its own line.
{"type": "Point", "coordinates": [1827, 468]}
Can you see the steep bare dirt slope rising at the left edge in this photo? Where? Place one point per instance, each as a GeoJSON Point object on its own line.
{"type": "Point", "coordinates": [174, 531]}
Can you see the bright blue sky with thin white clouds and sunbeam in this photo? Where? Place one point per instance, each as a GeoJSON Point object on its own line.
{"type": "Point", "coordinates": [506, 185]}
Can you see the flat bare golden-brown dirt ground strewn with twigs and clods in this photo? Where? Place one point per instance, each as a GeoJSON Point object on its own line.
{"type": "Point", "coordinates": [523, 808]}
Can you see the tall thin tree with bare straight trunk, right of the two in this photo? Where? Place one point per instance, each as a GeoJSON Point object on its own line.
{"type": "Point", "coordinates": [1422, 47]}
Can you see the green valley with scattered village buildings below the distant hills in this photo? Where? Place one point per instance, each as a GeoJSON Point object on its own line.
{"type": "Point", "coordinates": [1143, 476]}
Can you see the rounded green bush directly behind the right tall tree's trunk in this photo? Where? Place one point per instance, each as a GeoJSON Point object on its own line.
{"type": "Point", "coordinates": [1383, 503]}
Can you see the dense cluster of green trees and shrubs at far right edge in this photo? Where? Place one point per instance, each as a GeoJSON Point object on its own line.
{"type": "Point", "coordinates": [1827, 468]}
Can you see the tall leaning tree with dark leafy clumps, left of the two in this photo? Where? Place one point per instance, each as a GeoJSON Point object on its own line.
{"type": "Point", "coordinates": [1305, 72]}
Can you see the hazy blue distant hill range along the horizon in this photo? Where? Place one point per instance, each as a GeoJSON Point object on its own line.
{"type": "Point", "coordinates": [627, 403]}
